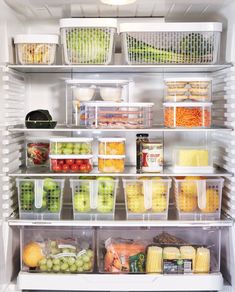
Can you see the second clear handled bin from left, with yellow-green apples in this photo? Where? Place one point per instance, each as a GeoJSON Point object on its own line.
{"type": "Point", "coordinates": [94, 199]}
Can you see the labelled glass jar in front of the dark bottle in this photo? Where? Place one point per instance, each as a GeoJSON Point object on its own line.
{"type": "Point", "coordinates": [152, 157]}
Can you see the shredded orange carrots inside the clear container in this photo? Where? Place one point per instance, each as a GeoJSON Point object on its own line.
{"type": "Point", "coordinates": [187, 117]}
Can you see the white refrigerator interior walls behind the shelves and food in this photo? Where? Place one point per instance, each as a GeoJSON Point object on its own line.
{"type": "Point", "coordinates": [47, 90]}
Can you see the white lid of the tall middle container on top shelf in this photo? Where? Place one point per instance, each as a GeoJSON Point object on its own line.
{"type": "Point", "coordinates": [88, 22]}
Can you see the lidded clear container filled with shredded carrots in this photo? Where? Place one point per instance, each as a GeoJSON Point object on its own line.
{"type": "Point", "coordinates": [187, 115]}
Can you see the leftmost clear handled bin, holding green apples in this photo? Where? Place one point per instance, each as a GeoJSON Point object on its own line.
{"type": "Point", "coordinates": [40, 198]}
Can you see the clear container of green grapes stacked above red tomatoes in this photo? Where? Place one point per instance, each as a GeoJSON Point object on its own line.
{"type": "Point", "coordinates": [71, 146]}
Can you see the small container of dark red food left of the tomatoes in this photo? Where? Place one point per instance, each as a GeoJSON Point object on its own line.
{"type": "Point", "coordinates": [37, 153]}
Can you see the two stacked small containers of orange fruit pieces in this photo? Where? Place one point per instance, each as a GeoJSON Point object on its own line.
{"type": "Point", "coordinates": [111, 158]}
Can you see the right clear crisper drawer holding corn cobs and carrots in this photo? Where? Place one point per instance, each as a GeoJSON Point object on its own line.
{"type": "Point", "coordinates": [160, 250]}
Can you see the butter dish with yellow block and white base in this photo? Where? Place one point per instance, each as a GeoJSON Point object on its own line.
{"type": "Point", "coordinates": [192, 159]}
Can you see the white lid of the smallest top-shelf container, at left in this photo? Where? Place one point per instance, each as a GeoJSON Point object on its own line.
{"type": "Point", "coordinates": [36, 38]}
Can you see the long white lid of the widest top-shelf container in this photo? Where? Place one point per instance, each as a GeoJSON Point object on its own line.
{"type": "Point", "coordinates": [171, 27]}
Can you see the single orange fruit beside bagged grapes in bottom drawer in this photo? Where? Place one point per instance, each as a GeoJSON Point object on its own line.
{"type": "Point", "coordinates": [32, 254]}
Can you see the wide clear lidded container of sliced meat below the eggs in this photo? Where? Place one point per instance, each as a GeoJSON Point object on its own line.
{"type": "Point", "coordinates": [116, 115]}
